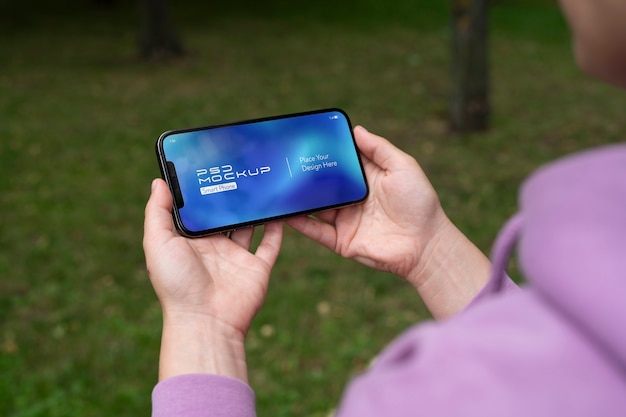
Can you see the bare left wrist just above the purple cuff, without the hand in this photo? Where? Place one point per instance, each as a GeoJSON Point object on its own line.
{"type": "Point", "coordinates": [198, 344]}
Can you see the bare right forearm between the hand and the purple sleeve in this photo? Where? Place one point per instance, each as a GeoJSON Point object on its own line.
{"type": "Point", "coordinates": [452, 272]}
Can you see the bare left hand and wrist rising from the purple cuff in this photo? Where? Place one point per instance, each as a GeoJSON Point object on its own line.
{"type": "Point", "coordinates": [209, 288]}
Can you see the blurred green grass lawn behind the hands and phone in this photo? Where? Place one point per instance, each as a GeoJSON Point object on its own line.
{"type": "Point", "coordinates": [79, 114]}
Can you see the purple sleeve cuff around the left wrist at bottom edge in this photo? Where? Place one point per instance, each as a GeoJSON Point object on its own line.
{"type": "Point", "coordinates": [200, 395]}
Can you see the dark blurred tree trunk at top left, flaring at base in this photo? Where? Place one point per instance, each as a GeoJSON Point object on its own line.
{"type": "Point", "coordinates": [158, 37]}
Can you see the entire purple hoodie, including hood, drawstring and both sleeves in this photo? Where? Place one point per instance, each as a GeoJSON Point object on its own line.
{"type": "Point", "coordinates": [556, 347]}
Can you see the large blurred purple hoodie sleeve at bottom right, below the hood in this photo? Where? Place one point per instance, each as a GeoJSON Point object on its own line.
{"type": "Point", "coordinates": [507, 356]}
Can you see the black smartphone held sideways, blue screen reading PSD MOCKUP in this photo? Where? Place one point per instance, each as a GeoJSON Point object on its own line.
{"type": "Point", "coordinates": [247, 173]}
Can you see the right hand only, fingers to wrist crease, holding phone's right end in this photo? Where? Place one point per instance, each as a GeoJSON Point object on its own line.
{"type": "Point", "coordinates": [393, 225]}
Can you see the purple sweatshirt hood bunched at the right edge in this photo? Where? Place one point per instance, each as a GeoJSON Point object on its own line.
{"type": "Point", "coordinates": [571, 242]}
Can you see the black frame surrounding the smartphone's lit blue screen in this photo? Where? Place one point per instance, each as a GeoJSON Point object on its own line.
{"type": "Point", "coordinates": [175, 190]}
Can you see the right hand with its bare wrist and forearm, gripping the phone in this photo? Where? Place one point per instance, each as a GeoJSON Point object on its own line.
{"type": "Point", "coordinates": [402, 228]}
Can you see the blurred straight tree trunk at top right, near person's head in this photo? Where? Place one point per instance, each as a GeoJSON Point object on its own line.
{"type": "Point", "coordinates": [469, 109]}
